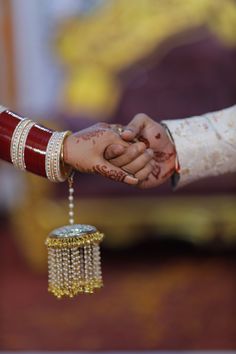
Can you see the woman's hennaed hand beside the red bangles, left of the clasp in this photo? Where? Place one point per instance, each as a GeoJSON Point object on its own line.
{"type": "Point", "coordinates": [84, 151]}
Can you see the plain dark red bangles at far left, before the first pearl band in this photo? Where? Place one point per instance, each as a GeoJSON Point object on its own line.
{"type": "Point", "coordinates": [8, 123]}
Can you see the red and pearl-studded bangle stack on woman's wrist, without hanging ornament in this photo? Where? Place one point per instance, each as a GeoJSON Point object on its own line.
{"type": "Point", "coordinates": [32, 147]}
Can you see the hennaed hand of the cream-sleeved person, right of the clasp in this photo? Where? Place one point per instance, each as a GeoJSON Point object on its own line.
{"type": "Point", "coordinates": [155, 137]}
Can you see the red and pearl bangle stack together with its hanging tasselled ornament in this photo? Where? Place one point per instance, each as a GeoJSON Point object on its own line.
{"type": "Point", "coordinates": [74, 264]}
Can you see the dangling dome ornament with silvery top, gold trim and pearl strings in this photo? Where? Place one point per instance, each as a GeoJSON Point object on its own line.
{"type": "Point", "coordinates": [74, 264]}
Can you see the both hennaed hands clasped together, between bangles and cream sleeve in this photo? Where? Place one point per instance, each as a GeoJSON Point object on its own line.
{"type": "Point", "coordinates": [142, 154]}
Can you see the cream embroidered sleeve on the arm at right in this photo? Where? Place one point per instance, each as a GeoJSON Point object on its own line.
{"type": "Point", "coordinates": [205, 145]}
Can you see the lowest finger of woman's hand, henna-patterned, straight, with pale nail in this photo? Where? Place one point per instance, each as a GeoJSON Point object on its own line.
{"type": "Point", "coordinates": [112, 172]}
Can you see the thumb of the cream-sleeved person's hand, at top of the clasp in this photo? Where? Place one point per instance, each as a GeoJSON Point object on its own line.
{"type": "Point", "coordinates": [134, 128]}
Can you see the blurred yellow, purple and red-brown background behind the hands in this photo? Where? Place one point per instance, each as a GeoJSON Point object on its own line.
{"type": "Point", "coordinates": [169, 257]}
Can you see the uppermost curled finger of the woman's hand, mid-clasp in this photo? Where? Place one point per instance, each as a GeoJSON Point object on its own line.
{"type": "Point", "coordinates": [131, 153]}
